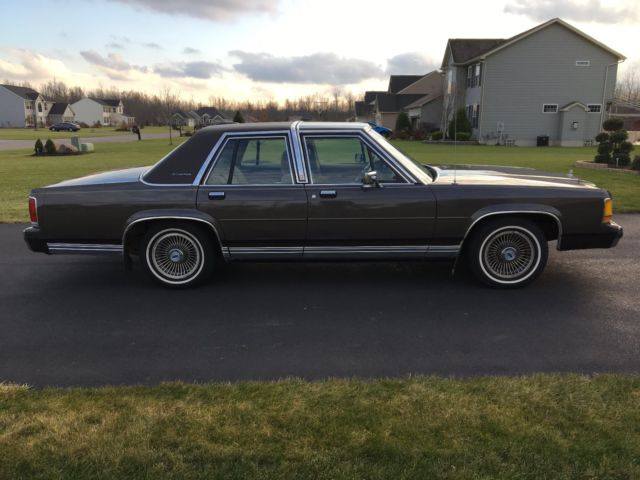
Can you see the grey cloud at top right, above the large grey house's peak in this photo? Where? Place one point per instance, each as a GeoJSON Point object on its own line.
{"type": "Point", "coordinates": [587, 11]}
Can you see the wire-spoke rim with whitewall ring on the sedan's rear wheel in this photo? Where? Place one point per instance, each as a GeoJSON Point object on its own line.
{"type": "Point", "coordinates": [175, 255]}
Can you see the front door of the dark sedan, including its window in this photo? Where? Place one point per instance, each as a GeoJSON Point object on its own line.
{"type": "Point", "coordinates": [395, 218]}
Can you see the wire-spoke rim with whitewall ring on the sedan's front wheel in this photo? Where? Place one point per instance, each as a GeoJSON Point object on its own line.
{"type": "Point", "coordinates": [509, 254]}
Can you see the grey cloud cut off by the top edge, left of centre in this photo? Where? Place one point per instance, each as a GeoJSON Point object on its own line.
{"type": "Point", "coordinates": [214, 10]}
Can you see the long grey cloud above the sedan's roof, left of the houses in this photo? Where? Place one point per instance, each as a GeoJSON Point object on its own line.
{"type": "Point", "coordinates": [324, 68]}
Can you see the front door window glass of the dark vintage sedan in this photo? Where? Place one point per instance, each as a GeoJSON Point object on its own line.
{"type": "Point", "coordinates": [345, 160]}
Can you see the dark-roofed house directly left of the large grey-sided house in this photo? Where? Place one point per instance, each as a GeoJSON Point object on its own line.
{"type": "Point", "coordinates": [419, 92]}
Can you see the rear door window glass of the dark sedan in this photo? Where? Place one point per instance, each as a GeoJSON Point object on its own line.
{"type": "Point", "coordinates": [262, 161]}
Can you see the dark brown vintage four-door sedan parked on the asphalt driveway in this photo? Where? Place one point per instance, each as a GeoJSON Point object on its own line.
{"type": "Point", "coordinates": [317, 191]}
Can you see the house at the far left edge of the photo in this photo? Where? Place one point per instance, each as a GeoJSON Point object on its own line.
{"type": "Point", "coordinates": [22, 107]}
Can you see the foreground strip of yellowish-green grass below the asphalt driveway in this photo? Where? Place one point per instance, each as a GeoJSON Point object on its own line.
{"type": "Point", "coordinates": [536, 427]}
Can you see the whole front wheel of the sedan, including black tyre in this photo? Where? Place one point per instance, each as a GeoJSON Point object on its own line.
{"type": "Point", "coordinates": [508, 253]}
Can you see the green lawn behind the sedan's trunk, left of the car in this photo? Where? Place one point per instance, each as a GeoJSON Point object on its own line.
{"type": "Point", "coordinates": [20, 172]}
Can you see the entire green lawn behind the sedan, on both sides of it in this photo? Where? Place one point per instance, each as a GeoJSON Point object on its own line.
{"type": "Point", "coordinates": [20, 172]}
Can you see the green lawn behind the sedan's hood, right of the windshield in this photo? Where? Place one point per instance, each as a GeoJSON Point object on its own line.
{"type": "Point", "coordinates": [624, 187]}
